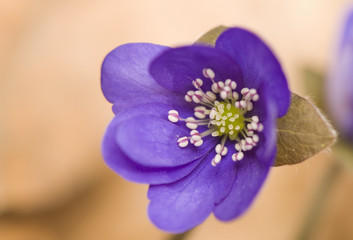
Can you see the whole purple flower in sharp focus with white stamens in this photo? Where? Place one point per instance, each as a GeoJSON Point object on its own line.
{"type": "Point", "coordinates": [196, 123]}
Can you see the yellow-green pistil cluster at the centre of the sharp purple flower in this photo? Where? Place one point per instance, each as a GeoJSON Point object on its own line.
{"type": "Point", "coordinates": [228, 120]}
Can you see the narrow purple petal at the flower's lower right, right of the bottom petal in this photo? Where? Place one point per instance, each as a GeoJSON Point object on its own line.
{"type": "Point", "coordinates": [251, 174]}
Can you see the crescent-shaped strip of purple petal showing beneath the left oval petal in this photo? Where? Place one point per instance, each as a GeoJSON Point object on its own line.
{"type": "Point", "coordinates": [123, 165]}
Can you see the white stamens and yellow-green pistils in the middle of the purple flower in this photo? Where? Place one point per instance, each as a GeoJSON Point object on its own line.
{"type": "Point", "coordinates": [225, 114]}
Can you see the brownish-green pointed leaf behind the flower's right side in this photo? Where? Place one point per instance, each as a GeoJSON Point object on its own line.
{"type": "Point", "coordinates": [302, 132]}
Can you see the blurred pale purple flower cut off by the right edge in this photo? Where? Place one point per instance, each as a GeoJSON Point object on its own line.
{"type": "Point", "coordinates": [339, 85]}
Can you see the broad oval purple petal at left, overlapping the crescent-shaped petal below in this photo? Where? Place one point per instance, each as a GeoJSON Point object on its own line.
{"type": "Point", "coordinates": [152, 141]}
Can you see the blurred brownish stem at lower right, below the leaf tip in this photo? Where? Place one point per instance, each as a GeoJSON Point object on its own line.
{"type": "Point", "coordinates": [316, 207]}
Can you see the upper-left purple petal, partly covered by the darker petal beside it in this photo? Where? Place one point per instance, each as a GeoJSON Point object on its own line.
{"type": "Point", "coordinates": [125, 78]}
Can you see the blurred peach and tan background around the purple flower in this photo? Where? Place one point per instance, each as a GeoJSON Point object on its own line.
{"type": "Point", "coordinates": [53, 181]}
